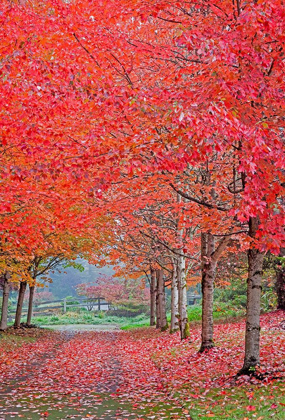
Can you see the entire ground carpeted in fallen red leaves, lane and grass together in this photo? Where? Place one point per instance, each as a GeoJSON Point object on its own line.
{"type": "Point", "coordinates": [141, 374]}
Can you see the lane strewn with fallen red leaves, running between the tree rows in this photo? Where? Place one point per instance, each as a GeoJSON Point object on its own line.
{"type": "Point", "coordinates": [70, 375]}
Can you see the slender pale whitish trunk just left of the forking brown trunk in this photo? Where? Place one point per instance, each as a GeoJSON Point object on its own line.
{"type": "Point", "coordinates": [182, 299]}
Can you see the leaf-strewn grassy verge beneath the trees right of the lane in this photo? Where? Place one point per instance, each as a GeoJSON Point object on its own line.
{"type": "Point", "coordinates": [206, 384]}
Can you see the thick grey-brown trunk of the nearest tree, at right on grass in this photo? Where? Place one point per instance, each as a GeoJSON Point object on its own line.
{"type": "Point", "coordinates": [252, 332]}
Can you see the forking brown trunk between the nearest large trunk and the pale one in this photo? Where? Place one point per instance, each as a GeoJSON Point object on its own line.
{"type": "Point", "coordinates": [208, 277]}
